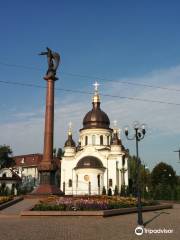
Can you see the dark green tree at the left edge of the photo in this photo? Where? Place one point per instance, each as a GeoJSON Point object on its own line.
{"type": "Point", "coordinates": [6, 159]}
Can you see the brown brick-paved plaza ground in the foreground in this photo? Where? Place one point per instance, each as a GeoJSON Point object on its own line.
{"type": "Point", "coordinates": [88, 228]}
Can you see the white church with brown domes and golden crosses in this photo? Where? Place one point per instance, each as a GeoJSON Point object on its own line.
{"type": "Point", "coordinates": [99, 161]}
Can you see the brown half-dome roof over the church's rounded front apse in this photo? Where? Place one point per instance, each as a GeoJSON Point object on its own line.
{"type": "Point", "coordinates": [89, 162]}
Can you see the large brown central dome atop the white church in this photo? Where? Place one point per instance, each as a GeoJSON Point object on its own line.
{"type": "Point", "coordinates": [96, 118]}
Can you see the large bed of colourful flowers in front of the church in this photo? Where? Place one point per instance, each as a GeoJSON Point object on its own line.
{"type": "Point", "coordinates": [90, 203]}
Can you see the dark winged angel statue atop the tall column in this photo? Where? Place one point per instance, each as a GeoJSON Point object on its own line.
{"type": "Point", "coordinates": [53, 59]}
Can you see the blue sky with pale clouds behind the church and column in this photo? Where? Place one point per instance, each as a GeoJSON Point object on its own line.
{"type": "Point", "coordinates": [134, 41]}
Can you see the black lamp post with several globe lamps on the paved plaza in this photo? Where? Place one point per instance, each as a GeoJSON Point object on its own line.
{"type": "Point", "coordinates": [139, 133]}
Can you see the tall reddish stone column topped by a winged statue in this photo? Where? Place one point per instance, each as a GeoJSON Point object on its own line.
{"type": "Point", "coordinates": [48, 167]}
